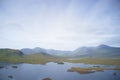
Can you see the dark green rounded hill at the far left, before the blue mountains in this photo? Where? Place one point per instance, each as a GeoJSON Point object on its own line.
{"type": "Point", "coordinates": [10, 52]}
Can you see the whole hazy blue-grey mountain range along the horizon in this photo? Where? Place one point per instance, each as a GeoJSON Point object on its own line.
{"type": "Point", "coordinates": [99, 51]}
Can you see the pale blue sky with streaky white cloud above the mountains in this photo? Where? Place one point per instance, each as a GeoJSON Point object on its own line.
{"type": "Point", "coordinates": [59, 24]}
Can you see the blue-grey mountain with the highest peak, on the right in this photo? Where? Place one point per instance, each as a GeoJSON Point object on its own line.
{"type": "Point", "coordinates": [99, 51]}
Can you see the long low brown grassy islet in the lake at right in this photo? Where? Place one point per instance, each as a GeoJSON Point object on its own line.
{"type": "Point", "coordinates": [89, 70]}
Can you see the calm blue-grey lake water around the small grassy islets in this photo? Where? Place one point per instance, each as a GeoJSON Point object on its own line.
{"type": "Point", "coordinates": [54, 71]}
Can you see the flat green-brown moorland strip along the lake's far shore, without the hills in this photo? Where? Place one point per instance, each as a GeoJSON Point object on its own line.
{"type": "Point", "coordinates": [42, 59]}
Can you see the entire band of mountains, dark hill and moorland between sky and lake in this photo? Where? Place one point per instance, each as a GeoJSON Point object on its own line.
{"type": "Point", "coordinates": [101, 54]}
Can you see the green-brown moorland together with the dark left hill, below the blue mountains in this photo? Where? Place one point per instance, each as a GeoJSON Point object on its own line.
{"type": "Point", "coordinates": [16, 56]}
